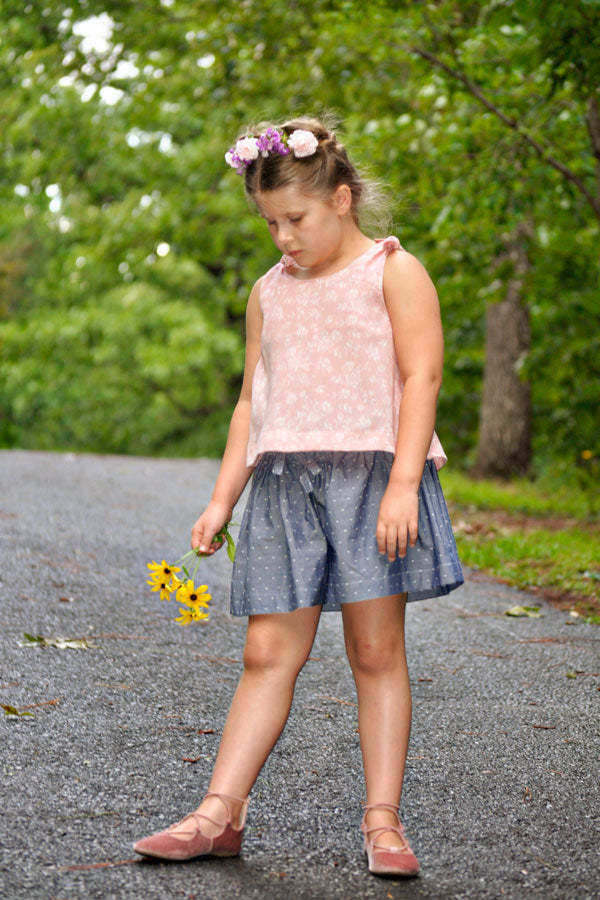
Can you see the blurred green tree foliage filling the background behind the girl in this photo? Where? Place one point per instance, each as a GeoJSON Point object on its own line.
{"type": "Point", "coordinates": [476, 115]}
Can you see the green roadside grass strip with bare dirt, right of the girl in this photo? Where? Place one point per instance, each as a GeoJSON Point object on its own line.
{"type": "Point", "coordinates": [545, 542]}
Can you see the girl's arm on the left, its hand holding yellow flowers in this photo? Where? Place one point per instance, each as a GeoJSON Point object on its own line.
{"type": "Point", "coordinates": [234, 473]}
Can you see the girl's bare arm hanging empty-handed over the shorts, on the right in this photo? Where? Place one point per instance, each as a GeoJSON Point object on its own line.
{"type": "Point", "coordinates": [414, 311]}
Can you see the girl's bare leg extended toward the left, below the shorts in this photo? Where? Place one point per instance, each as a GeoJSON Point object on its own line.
{"type": "Point", "coordinates": [277, 646]}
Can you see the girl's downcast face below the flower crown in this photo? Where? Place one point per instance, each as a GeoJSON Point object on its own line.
{"type": "Point", "coordinates": [305, 226]}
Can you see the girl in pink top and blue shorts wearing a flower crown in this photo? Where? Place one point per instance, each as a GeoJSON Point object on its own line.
{"type": "Point", "coordinates": [345, 511]}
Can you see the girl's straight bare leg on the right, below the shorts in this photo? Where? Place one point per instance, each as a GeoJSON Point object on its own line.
{"type": "Point", "coordinates": [374, 636]}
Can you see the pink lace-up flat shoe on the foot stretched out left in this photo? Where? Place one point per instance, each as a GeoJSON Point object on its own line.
{"type": "Point", "coordinates": [167, 845]}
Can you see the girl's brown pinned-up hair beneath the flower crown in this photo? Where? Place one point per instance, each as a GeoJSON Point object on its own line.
{"type": "Point", "coordinates": [319, 174]}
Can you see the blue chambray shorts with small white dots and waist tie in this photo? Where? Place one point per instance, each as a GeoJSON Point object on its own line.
{"type": "Point", "coordinates": [307, 535]}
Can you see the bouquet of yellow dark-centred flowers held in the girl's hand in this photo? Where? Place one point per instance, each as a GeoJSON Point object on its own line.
{"type": "Point", "coordinates": [163, 578]}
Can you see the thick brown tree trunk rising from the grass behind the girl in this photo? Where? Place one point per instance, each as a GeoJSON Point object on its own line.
{"type": "Point", "coordinates": [504, 447]}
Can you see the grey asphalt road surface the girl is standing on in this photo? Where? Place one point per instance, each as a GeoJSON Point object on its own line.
{"type": "Point", "coordinates": [501, 797]}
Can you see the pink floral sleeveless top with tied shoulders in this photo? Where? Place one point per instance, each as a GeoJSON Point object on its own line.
{"type": "Point", "coordinates": [328, 377]}
